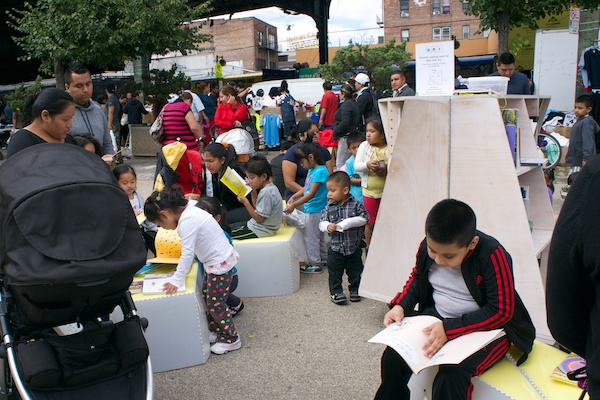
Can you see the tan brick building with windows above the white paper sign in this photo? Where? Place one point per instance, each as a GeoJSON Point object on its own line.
{"type": "Point", "coordinates": [428, 20]}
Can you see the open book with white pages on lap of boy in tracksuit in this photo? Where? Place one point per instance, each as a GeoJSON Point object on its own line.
{"type": "Point", "coordinates": [408, 338]}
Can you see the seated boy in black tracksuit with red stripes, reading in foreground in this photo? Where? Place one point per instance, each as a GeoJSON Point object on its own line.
{"type": "Point", "coordinates": [464, 277]}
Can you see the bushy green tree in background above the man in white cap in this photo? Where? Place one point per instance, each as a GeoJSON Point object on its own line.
{"type": "Point", "coordinates": [377, 62]}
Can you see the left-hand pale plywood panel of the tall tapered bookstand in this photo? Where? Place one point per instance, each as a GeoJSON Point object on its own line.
{"type": "Point", "coordinates": [417, 179]}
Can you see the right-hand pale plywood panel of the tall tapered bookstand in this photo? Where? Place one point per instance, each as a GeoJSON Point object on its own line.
{"type": "Point", "coordinates": [482, 174]}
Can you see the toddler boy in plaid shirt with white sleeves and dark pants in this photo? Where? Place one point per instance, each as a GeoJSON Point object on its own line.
{"type": "Point", "coordinates": [344, 218]}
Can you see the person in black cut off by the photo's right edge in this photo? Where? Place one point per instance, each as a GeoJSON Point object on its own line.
{"type": "Point", "coordinates": [573, 280]}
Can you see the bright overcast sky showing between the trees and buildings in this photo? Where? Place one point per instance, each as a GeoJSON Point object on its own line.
{"type": "Point", "coordinates": [348, 20]}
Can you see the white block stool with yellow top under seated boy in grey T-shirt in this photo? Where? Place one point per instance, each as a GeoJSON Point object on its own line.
{"type": "Point", "coordinates": [270, 266]}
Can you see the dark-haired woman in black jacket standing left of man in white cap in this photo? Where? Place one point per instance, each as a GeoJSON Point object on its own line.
{"type": "Point", "coordinates": [346, 120]}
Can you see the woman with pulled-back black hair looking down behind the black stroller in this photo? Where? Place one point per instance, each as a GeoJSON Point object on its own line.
{"type": "Point", "coordinates": [50, 113]}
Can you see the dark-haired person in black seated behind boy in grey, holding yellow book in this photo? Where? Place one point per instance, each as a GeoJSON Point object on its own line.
{"type": "Point", "coordinates": [217, 157]}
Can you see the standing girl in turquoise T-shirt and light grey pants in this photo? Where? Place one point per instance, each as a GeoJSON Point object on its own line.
{"type": "Point", "coordinates": [314, 198]}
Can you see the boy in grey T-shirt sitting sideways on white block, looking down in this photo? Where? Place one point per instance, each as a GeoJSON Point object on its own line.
{"type": "Point", "coordinates": [265, 209]}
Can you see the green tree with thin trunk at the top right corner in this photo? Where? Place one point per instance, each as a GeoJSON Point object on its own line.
{"type": "Point", "coordinates": [501, 15]}
